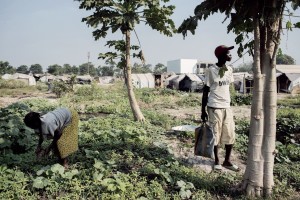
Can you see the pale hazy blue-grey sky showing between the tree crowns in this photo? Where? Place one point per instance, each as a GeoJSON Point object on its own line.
{"type": "Point", "coordinates": [51, 32]}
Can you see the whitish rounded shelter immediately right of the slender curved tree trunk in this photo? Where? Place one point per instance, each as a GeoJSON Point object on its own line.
{"type": "Point", "coordinates": [143, 80]}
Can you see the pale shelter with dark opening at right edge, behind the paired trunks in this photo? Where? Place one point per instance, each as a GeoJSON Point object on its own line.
{"type": "Point", "coordinates": [288, 78]}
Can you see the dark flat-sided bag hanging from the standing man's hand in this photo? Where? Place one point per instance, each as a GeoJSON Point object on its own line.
{"type": "Point", "coordinates": [204, 141]}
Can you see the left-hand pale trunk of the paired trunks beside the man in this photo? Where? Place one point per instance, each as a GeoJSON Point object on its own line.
{"type": "Point", "coordinates": [253, 177]}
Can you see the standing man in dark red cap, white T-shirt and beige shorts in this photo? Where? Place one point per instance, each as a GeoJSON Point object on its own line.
{"type": "Point", "coordinates": [216, 96]}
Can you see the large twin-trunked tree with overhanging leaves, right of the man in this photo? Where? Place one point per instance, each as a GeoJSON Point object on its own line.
{"type": "Point", "coordinates": [264, 20]}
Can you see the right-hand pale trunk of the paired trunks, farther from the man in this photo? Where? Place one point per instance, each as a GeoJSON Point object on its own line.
{"type": "Point", "coordinates": [270, 101]}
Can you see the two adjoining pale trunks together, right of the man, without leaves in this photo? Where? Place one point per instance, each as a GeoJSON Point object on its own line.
{"type": "Point", "coordinates": [258, 178]}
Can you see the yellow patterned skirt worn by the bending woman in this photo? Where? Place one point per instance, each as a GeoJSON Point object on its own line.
{"type": "Point", "coordinates": [68, 141]}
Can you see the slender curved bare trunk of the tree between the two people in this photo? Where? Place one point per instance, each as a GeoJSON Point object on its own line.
{"type": "Point", "coordinates": [137, 114]}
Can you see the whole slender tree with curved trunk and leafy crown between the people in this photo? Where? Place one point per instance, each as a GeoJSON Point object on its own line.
{"type": "Point", "coordinates": [123, 15]}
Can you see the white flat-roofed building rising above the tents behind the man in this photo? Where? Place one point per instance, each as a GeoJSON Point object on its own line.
{"type": "Point", "coordinates": [187, 66]}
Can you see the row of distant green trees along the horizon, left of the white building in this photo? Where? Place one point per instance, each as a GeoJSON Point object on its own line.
{"type": "Point", "coordinates": [110, 69]}
